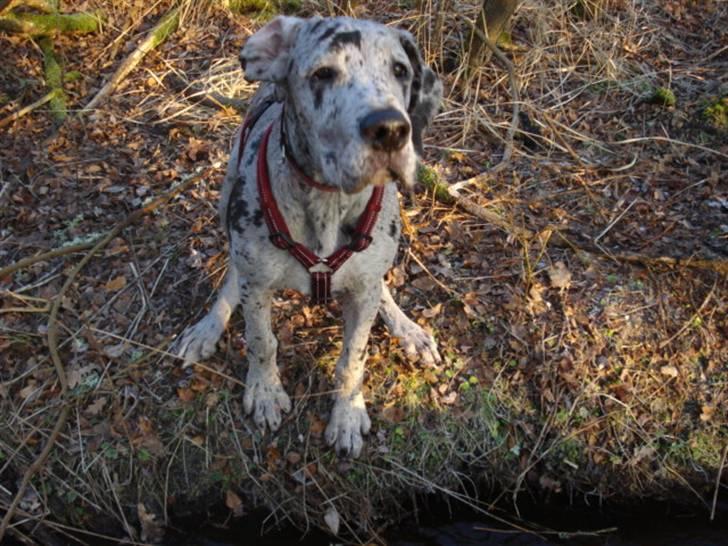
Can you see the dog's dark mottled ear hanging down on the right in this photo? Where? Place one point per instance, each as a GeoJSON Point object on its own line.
{"type": "Point", "coordinates": [426, 92]}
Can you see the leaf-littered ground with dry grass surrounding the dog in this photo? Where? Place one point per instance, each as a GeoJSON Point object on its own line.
{"type": "Point", "coordinates": [584, 335]}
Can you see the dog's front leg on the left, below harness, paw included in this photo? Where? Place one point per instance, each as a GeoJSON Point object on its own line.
{"type": "Point", "coordinates": [264, 394]}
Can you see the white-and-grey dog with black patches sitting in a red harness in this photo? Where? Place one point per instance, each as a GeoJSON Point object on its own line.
{"type": "Point", "coordinates": [310, 200]}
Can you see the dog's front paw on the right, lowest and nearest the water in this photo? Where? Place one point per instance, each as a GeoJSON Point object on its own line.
{"type": "Point", "coordinates": [348, 422]}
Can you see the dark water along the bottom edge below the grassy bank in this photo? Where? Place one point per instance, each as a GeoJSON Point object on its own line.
{"type": "Point", "coordinates": [653, 525]}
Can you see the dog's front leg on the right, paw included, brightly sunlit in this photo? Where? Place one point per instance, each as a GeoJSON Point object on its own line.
{"type": "Point", "coordinates": [349, 419]}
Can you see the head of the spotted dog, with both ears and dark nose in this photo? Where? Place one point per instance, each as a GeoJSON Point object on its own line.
{"type": "Point", "coordinates": [359, 92]}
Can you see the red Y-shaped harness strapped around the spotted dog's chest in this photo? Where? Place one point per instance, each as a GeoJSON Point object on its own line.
{"type": "Point", "coordinates": [320, 269]}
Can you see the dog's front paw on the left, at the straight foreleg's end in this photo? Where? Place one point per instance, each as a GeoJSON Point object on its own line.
{"type": "Point", "coordinates": [266, 399]}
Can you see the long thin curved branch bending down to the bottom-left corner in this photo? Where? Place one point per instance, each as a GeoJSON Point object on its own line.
{"type": "Point", "coordinates": [53, 344]}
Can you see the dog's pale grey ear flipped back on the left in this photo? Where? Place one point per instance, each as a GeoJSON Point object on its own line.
{"type": "Point", "coordinates": [265, 55]}
